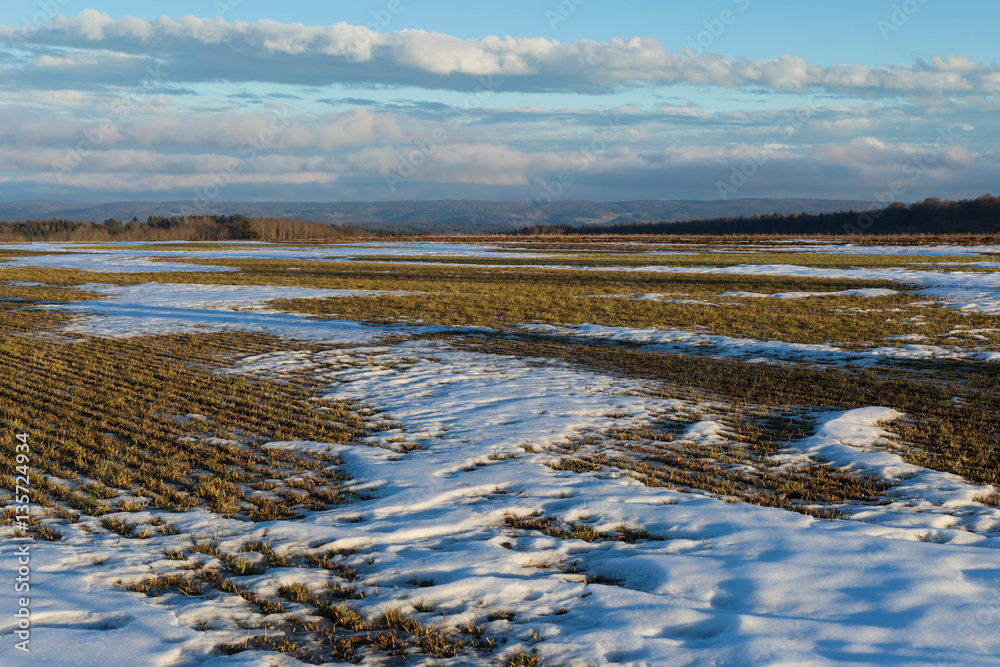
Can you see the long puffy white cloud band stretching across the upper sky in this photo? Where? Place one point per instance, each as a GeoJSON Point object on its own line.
{"type": "Point", "coordinates": [196, 49]}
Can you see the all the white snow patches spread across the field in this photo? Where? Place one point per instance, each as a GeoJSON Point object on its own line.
{"type": "Point", "coordinates": [911, 579]}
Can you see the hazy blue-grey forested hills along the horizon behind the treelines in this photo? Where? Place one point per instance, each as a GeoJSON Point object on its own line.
{"type": "Point", "coordinates": [445, 216]}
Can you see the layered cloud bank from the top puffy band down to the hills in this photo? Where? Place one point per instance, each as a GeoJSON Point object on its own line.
{"type": "Point", "coordinates": [102, 108]}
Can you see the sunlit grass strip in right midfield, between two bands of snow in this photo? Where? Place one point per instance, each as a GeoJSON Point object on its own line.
{"type": "Point", "coordinates": [845, 320]}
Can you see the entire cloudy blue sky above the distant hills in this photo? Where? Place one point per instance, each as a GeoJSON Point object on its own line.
{"type": "Point", "coordinates": [522, 100]}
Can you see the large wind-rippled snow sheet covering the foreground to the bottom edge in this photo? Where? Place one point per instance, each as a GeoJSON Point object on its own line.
{"type": "Point", "coordinates": [731, 584]}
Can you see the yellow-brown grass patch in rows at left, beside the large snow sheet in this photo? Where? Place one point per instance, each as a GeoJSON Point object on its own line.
{"type": "Point", "coordinates": [109, 419]}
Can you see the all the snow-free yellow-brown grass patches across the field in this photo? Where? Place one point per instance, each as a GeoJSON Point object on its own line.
{"type": "Point", "coordinates": [109, 420]}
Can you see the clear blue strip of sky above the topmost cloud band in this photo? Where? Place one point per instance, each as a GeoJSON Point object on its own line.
{"type": "Point", "coordinates": [826, 33]}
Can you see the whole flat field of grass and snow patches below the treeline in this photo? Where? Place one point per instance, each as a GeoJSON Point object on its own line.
{"type": "Point", "coordinates": [504, 453]}
